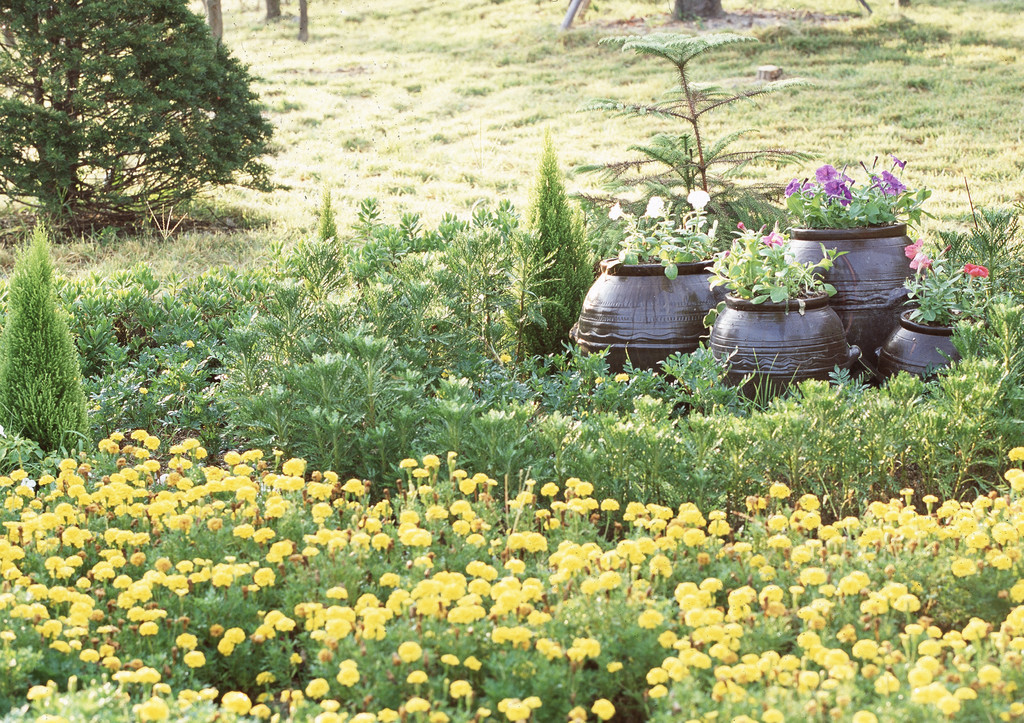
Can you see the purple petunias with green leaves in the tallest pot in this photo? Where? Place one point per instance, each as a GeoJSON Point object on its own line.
{"type": "Point", "coordinates": [834, 200]}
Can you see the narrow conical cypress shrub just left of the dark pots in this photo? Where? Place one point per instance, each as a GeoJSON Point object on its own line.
{"type": "Point", "coordinates": [559, 234]}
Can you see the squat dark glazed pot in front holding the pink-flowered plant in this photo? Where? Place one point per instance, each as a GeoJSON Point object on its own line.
{"type": "Point", "coordinates": [778, 346]}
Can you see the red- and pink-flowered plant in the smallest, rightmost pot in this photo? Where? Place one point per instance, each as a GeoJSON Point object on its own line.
{"type": "Point", "coordinates": [944, 295]}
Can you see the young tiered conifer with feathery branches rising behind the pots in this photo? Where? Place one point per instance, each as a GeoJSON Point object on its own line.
{"type": "Point", "coordinates": [675, 164]}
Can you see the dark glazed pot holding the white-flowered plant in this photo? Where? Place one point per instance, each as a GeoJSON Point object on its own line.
{"type": "Point", "coordinates": [637, 313]}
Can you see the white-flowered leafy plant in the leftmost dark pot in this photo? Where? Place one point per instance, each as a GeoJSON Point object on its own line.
{"type": "Point", "coordinates": [659, 238]}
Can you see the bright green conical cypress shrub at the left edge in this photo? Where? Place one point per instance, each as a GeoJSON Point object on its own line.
{"type": "Point", "coordinates": [41, 396]}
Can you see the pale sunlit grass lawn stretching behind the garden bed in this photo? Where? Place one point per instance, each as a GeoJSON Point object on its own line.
{"type": "Point", "coordinates": [435, 107]}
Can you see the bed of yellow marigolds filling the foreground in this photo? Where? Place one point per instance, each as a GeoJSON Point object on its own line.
{"type": "Point", "coordinates": [270, 590]}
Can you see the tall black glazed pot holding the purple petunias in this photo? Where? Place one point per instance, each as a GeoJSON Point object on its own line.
{"type": "Point", "coordinates": [870, 278]}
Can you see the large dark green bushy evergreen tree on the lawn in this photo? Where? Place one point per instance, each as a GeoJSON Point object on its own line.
{"type": "Point", "coordinates": [110, 113]}
